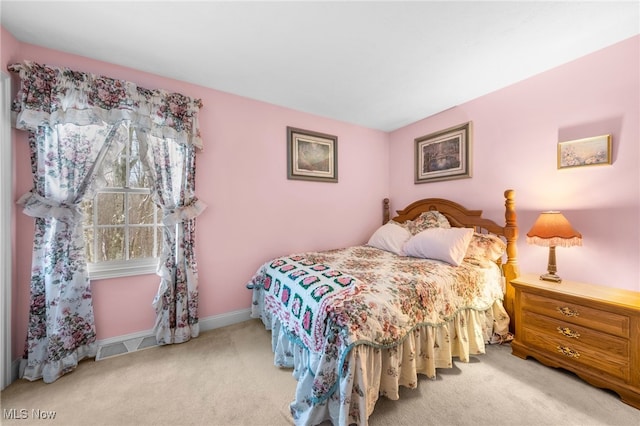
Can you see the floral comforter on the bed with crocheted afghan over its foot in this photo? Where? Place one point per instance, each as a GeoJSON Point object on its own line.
{"type": "Point", "coordinates": [379, 301]}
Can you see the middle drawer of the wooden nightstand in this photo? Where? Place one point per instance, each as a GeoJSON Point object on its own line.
{"type": "Point", "coordinates": [571, 334]}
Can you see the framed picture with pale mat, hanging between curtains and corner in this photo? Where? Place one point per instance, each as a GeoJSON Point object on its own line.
{"type": "Point", "coordinates": [311, 155]}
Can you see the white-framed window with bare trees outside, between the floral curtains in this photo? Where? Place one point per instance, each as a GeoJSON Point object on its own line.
{"type": "Point", "coordinates": [121, 226]}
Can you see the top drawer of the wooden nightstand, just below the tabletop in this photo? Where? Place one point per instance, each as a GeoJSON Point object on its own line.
{"type": "Point", "coordinates": [595, 319]}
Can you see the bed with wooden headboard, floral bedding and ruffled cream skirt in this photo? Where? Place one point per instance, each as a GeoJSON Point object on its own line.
{"type": "Point", "coordinates": [356, 323]}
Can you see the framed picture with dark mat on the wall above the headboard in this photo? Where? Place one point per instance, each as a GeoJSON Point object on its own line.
{"type": "Point", "coordinates": [444, 155]}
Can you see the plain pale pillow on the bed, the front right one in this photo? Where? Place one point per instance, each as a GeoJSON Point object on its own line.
{"type": "Point", "coordinates": [448, 245]}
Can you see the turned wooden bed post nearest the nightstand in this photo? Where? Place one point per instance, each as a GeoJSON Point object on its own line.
{"type": "Point", "coordinates": [510, 269]}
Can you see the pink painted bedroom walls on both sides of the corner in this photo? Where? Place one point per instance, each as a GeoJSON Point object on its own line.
{"type": "Point", "coordinates": [255, 213]}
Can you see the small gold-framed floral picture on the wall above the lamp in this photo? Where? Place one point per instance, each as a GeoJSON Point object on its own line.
{"type": "Point", "coordinates": [585, 152]}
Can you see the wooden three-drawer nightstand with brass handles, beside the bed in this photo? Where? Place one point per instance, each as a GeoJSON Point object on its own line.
{"type": "Point", "coordinates": [591, 330]}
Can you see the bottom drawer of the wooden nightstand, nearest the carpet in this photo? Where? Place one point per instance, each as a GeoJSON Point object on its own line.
{"type": "Point", "coordinates": [576, 353]}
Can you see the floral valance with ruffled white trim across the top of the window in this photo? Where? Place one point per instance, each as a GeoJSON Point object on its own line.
{"type": "Point", "coordinates": [51, 95]}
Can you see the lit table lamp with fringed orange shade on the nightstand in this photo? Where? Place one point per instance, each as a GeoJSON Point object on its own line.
{"type": "Point", "coordinates": [552, 229]}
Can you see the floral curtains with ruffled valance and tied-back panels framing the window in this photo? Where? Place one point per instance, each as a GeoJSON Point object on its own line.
{"type": "Point", "coordinates": [74, 119]}
